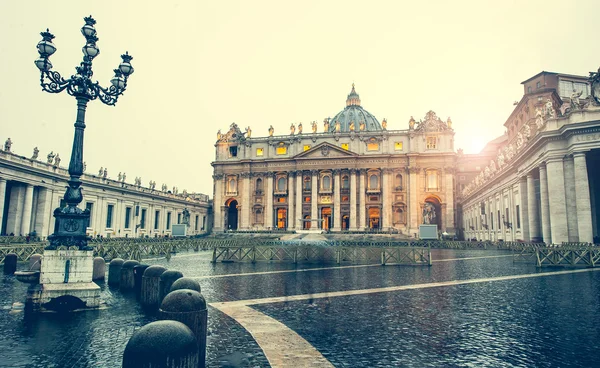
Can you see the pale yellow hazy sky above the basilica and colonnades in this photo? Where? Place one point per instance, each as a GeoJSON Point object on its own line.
{"type": "Point", "coordinates": [201, 65]}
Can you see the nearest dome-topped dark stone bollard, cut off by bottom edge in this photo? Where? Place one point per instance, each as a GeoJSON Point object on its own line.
{"type": "Point", "coordinates": [168, 344]}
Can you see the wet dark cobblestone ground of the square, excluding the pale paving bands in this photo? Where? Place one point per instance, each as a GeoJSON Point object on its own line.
{"type": "Point", "coordinates": [544, 321]}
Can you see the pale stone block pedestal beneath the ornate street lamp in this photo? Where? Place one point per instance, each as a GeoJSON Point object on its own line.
{"type": "Point", "coordinates": [66, 277]}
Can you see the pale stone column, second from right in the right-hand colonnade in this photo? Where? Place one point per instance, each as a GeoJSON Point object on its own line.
{"type": "Point", "coordinates": [557, 200]}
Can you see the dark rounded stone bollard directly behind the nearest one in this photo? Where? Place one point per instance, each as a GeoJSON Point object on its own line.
{"type": "Point", "coordinates": [189, 307]}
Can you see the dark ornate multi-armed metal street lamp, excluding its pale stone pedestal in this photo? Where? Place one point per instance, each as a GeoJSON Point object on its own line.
{"type": "Point", "coordinates": [71, 221]}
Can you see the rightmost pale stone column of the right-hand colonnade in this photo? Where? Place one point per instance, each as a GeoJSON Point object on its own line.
{"type": "Point", "coordinates": [582, 190]}
